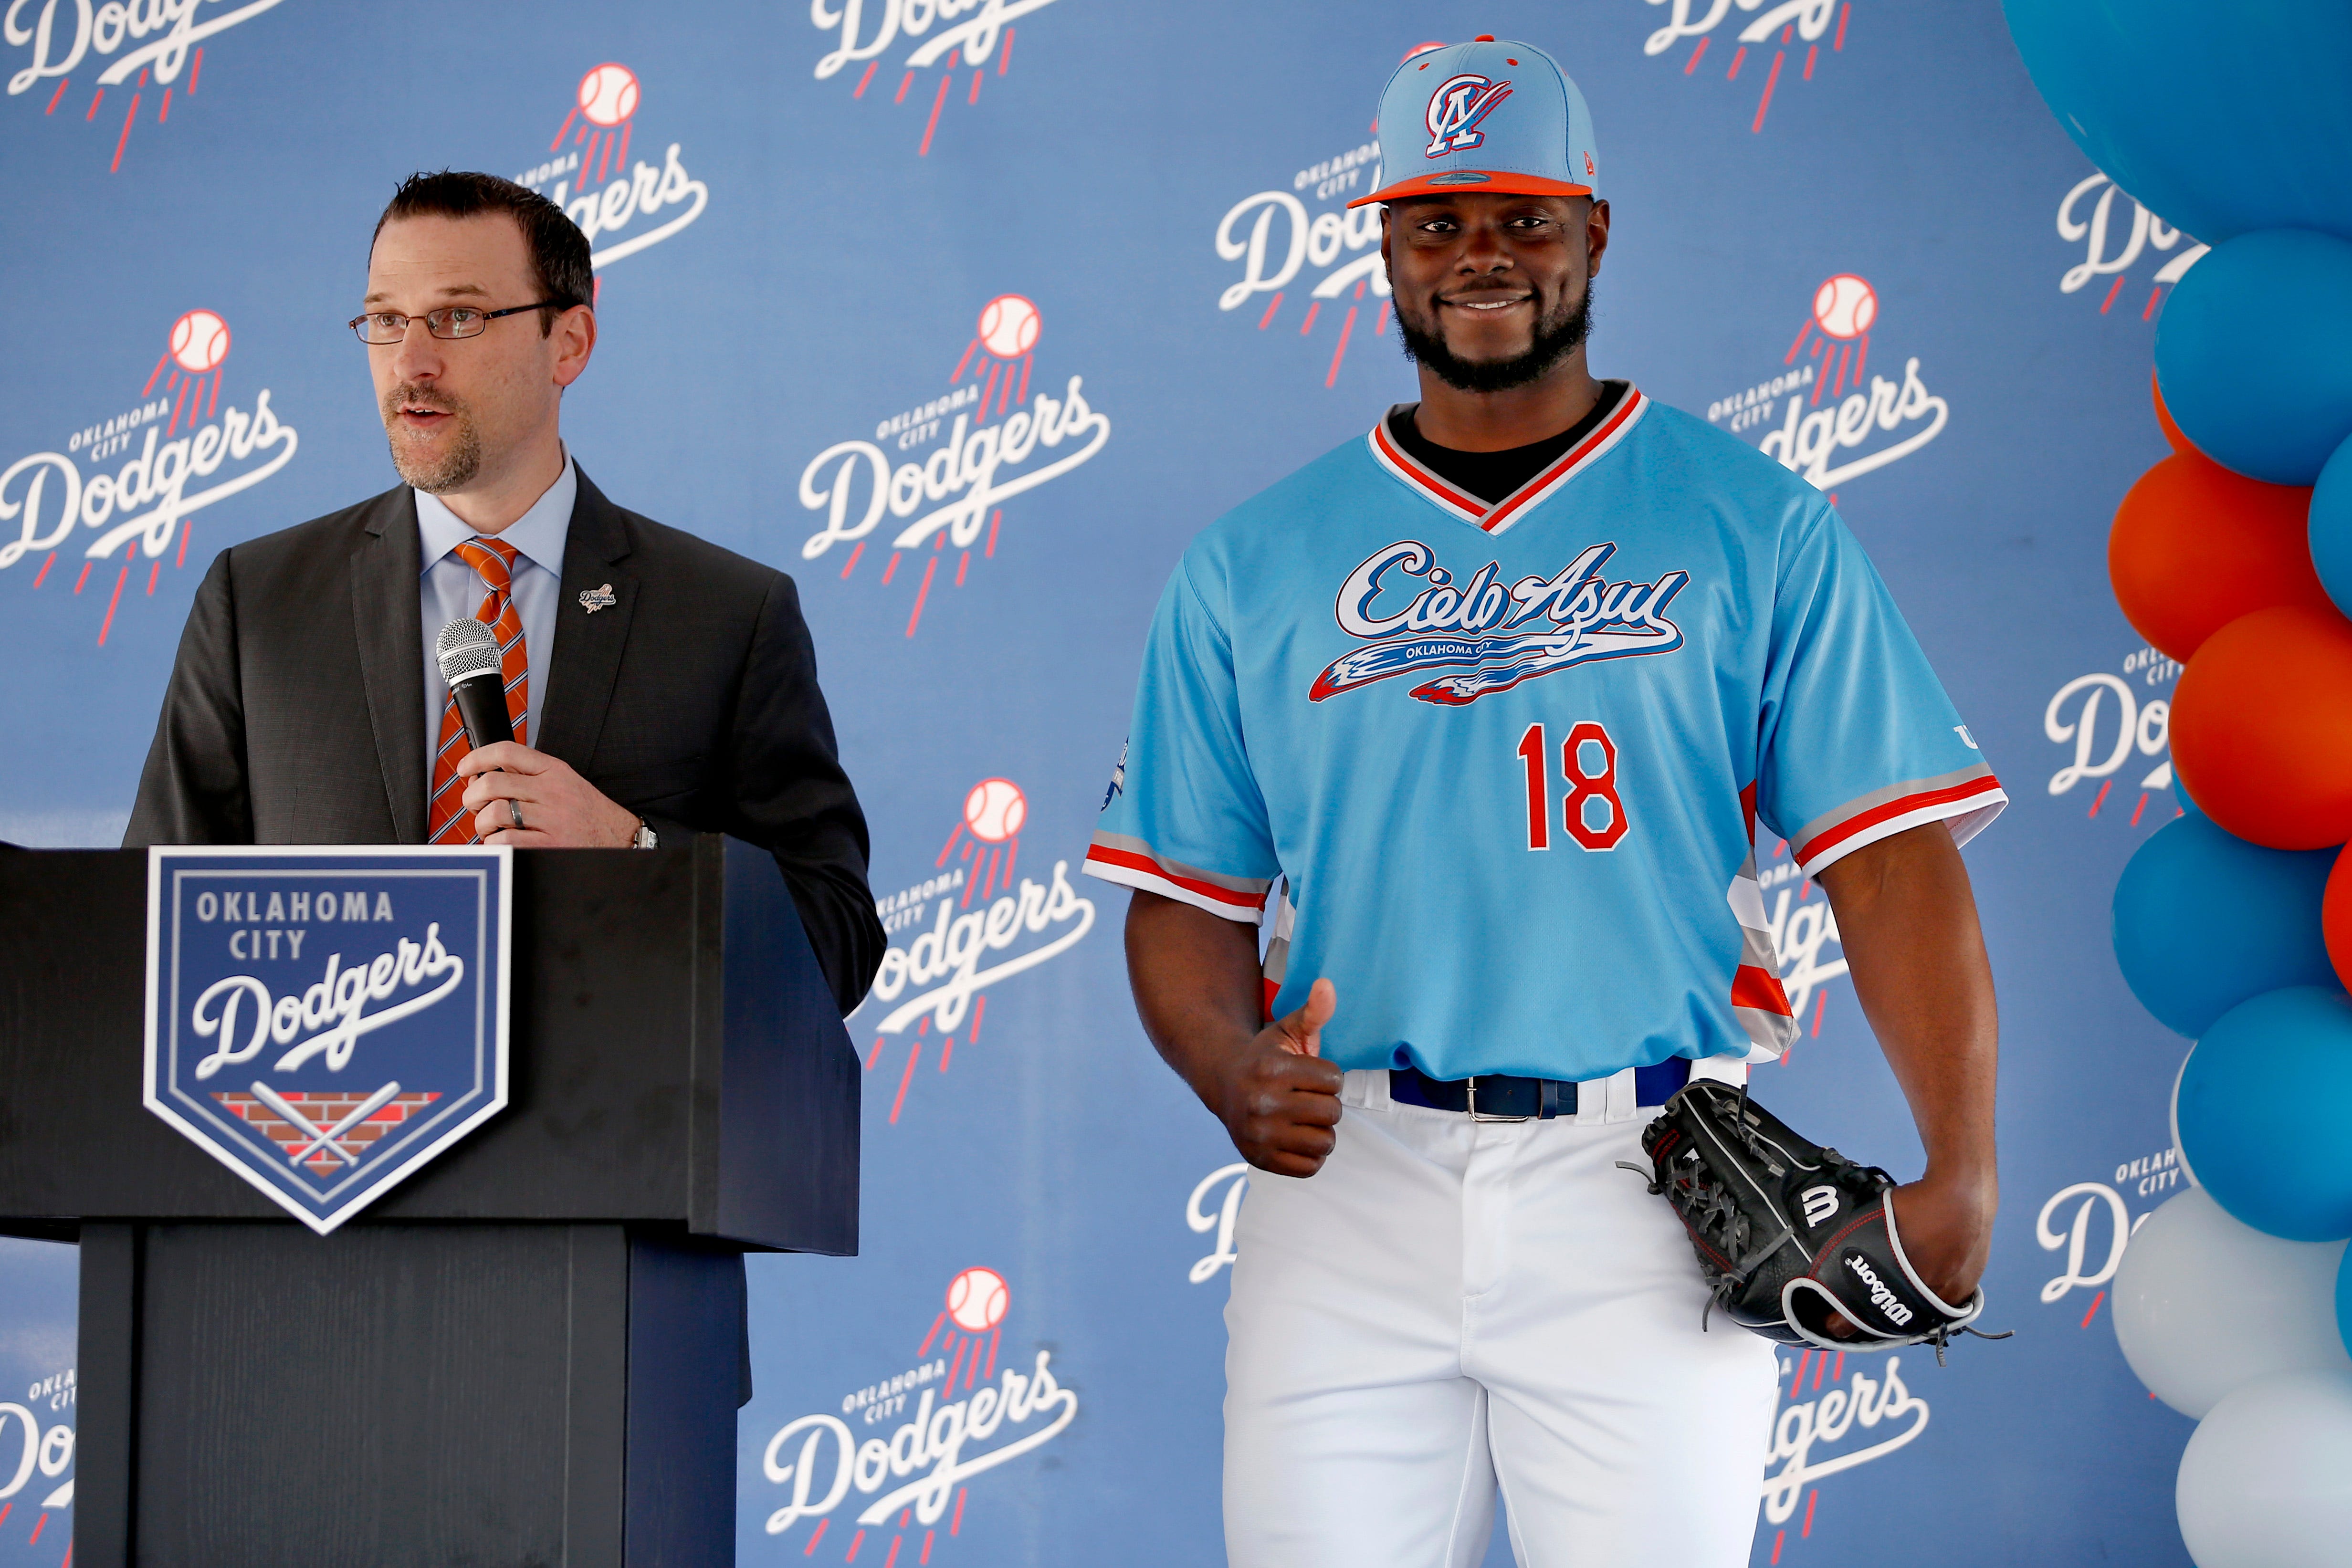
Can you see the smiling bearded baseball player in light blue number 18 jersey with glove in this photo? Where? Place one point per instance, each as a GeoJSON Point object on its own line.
{"type": "Point", "coordinates": [1481, 716]}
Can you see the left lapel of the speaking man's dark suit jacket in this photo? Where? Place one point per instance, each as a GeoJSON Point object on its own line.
{"type": "Point", "coordinates": [389, 624]}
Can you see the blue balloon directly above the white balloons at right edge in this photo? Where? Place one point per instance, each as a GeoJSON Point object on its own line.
{"type": "Point", "coordinates": [2266, 1113]}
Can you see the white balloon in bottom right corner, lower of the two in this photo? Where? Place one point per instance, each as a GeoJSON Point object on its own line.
{"type": "Point", "coordinates": [2266, 1477]}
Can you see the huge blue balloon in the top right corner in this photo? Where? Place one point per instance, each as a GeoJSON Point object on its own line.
{"type": "Point", "coordinates": [2219, 119]}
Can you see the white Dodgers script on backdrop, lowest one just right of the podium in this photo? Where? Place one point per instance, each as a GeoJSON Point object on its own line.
{"type": "Point", "coordinates": [944, 1442]}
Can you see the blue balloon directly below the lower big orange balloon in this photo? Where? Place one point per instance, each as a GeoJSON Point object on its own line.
{"type": "Point", "coordinates": [2207, 920]}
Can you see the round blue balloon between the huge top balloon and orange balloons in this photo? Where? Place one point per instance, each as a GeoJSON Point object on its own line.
{"type": "Point", "coordinates": [2254, 354]}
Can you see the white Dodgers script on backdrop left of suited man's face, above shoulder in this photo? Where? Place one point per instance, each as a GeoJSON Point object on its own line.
{"type": "Point", "coordinates": [46, 495]}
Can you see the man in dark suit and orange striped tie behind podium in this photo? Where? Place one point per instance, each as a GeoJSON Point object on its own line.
{"type": "Point", "coordinates": [657, 683]}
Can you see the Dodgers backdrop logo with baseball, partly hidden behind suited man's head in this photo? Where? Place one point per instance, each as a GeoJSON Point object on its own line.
{"type": "Point", "coordinates": [622, 208]}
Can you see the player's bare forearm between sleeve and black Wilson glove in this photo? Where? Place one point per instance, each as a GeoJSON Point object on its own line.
{"type": "Point", "coordinates": [1918, 958]}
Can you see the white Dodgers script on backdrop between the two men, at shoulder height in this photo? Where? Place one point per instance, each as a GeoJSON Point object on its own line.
{"type": "Point", "coordinates": [855, 485]}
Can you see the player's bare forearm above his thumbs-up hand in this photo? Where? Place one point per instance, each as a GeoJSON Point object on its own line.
{"type": "Point", "coordinates": [1198, 986]}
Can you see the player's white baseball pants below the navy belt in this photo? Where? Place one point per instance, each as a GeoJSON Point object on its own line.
{"type": "Point", "coordinates": [1450, 1306]}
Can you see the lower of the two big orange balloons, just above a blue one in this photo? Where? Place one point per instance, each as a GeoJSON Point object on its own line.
{"type": "Point", "coordinates": [2264, 728]}
